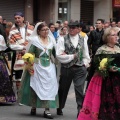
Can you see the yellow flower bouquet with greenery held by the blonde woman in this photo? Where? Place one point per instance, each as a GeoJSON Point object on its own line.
{"type": "Point", "coordinates": [104, 66]}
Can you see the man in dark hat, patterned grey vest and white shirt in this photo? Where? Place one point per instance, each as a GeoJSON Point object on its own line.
{"type": "Point", "coordinates": [72, 52]}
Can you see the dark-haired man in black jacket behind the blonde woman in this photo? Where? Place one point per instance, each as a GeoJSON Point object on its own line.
{"type": "Point", "coordinates": [94, 42]}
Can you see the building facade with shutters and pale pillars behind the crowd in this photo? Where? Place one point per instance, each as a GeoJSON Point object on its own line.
{"type": "Point", "coordinates": [52, 10]}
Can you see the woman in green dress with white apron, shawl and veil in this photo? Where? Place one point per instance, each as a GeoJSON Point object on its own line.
{"type": "Point", "coordinates": [40, 89]}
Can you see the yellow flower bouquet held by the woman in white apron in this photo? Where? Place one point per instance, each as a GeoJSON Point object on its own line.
{"type": "Point", "coordinates": [29, 61]}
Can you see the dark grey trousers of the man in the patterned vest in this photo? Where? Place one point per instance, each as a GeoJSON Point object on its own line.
{"type": "Point", "coordinates": [77, 74]}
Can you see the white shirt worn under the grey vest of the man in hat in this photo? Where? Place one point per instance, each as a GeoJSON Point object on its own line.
{"type": "Point", "coordinates": [66, 58]}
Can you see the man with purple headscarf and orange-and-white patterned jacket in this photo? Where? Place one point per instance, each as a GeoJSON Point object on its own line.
{"type": "Point", "coordinates": [18, 39]}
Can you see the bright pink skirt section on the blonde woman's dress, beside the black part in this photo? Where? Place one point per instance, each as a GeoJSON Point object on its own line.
{"type": "Point", "coordinates": [91, 104]}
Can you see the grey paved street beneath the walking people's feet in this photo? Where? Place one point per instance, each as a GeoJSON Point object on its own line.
{"type": "Point", "coordinates": [16, 112]}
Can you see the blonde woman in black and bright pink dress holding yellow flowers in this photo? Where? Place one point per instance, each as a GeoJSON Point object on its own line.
{"type": "Point", "coordinates": [102, 100]}
